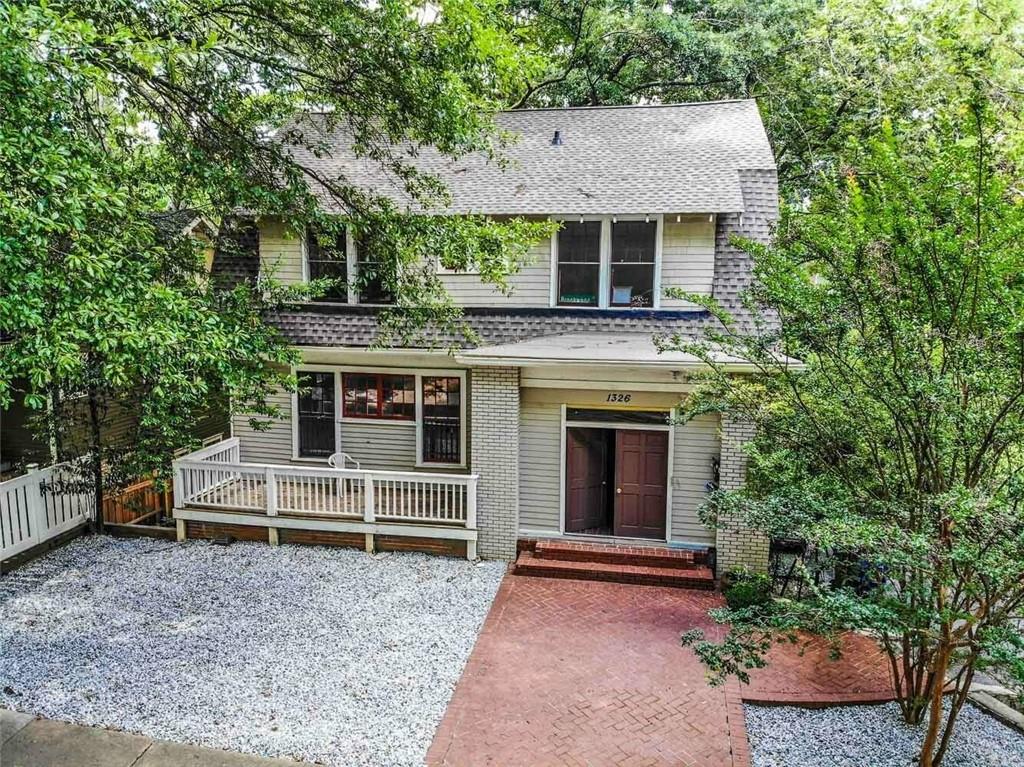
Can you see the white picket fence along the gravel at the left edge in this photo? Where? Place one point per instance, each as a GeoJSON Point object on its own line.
{"type": "Point", "coordinates": [38, 506]}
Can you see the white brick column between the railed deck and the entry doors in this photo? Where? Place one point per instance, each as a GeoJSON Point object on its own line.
{"type": "Point", "coordinates": [495, 457]}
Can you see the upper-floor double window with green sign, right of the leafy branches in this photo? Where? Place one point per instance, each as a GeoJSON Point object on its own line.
{"type": "Point", "coordinates": [608, 263]}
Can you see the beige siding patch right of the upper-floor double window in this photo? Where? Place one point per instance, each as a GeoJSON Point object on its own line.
{"type": "Point", "coordinates": [688, 258]}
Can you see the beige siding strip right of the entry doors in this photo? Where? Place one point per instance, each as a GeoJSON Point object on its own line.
{"type": "Point", "coordinates": [696, 445]}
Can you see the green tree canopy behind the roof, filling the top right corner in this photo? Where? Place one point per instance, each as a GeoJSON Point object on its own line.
{"type": "Point", "coordinates": [825, 72]}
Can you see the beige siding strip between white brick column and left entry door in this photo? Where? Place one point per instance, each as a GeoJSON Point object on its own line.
{"type": "Point", "coordinates": [540, 459]}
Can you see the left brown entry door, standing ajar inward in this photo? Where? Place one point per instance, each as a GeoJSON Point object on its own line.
{"type": "Point", "coordinates": [586, 487]}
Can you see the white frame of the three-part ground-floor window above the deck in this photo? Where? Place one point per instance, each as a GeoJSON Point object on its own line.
{"type": "Point", "coordinates": [419, 374]}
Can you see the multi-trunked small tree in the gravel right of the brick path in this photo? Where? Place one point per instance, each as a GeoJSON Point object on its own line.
{"type": "Point", "coordinates": [900, 445]}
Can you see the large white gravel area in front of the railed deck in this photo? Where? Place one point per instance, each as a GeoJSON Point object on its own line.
{"type": "Point", "coordinates": [316, 654]}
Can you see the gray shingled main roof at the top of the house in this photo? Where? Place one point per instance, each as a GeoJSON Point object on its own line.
{"type": "Point", "coordinates": [649, 159]}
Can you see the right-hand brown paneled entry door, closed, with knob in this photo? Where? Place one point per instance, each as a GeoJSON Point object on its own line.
{"type": "Point", "coordinates": [642, 479]}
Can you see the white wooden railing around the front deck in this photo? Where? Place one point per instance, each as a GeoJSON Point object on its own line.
{"type": "Point", "coordinates": [216, 479]}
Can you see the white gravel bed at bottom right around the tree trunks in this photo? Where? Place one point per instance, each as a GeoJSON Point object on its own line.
{"type": "Point", "coordinates": [876, 736]}
